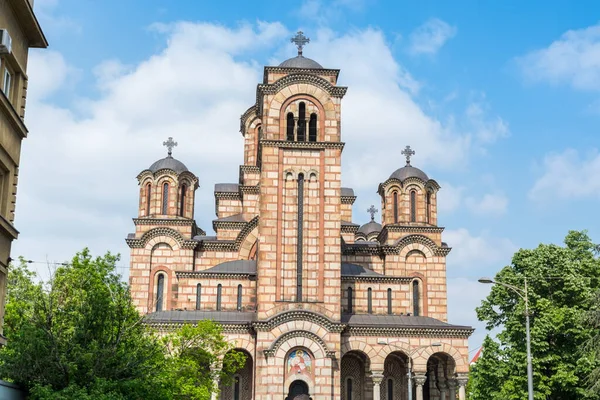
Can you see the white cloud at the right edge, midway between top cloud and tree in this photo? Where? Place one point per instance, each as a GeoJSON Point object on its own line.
{"type": "Point", "coordinates": [567, 175]}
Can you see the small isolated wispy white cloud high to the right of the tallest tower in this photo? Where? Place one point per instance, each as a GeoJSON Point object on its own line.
{"type": "Point", "coordinates": [430, 37]}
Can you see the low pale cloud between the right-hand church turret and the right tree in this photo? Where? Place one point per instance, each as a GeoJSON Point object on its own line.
{"type": "Point", "coordinates": [476, 252]}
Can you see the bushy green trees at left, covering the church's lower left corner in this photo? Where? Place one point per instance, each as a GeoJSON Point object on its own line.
{"type": "Point", "coordinates": [79, 336]}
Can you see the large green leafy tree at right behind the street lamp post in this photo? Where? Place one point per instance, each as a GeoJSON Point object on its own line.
{"type": "Point", "coordinates": [562, 285]}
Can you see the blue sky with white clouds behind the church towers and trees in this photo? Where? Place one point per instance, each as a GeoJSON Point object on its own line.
{"type": "Point", "coordinates": [500, 101]}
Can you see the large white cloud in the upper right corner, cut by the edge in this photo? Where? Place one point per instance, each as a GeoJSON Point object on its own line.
{"type": "Point", "coordinates": [574, 59]}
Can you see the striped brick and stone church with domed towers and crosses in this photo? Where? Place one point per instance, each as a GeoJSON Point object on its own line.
{"type": "Point", "coordinates": [323, 307]}
